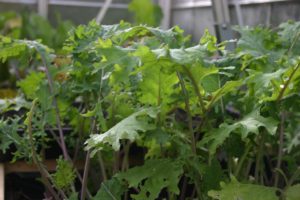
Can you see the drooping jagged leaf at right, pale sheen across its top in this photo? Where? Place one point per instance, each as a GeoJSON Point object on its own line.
{"type": "Point", "coordinates": [249, 124]}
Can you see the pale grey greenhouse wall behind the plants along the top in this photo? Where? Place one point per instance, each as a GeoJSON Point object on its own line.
{"type": "Point", "coordinates": [194, 16]}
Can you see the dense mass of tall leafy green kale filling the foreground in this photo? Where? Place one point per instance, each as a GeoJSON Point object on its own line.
{"type": "Point", "coordinates": [157, 117]}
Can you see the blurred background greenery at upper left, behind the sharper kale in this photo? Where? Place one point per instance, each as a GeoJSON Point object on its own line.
{"type": "Point", "coordinates": [30, 26]}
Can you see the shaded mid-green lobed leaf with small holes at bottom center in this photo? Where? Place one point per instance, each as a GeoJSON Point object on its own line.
{"type": "Point", "coordinates": [152, 177]}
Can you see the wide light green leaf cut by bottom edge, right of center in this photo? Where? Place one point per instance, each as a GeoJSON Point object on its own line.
{"type": "Point", "coordinates": [235, 190]}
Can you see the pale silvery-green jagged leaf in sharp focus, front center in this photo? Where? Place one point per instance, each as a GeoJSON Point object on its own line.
{"type": "Point", "coordinates": [128, 128]}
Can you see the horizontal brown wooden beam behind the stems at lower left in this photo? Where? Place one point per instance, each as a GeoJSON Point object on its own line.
{"type": "Point", "coordinates": [24, 167]}
